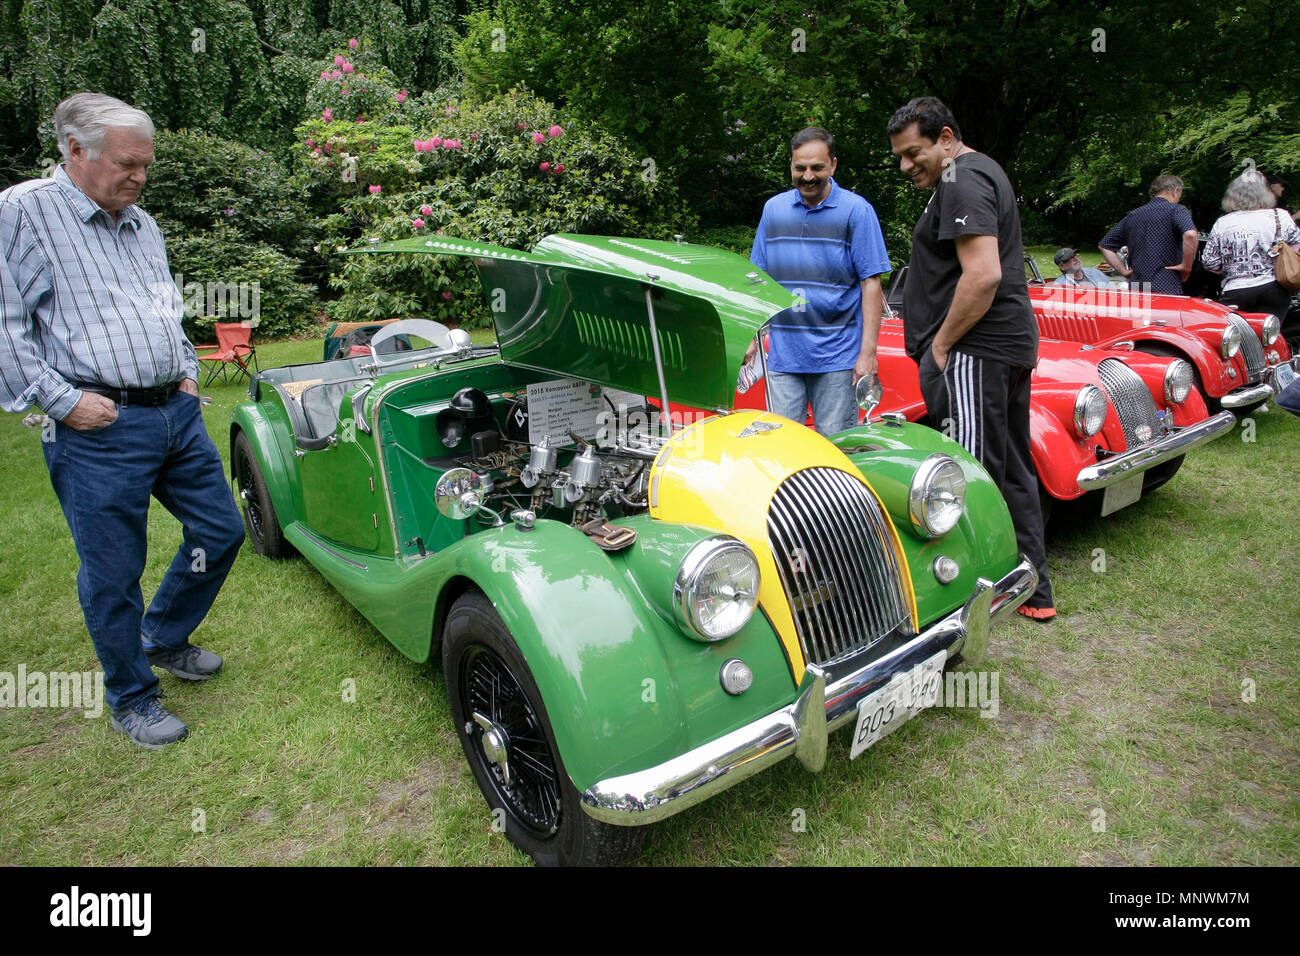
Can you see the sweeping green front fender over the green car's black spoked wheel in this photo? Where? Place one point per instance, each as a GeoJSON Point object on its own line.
{"type": "Point", "coordinates": [623, 686]}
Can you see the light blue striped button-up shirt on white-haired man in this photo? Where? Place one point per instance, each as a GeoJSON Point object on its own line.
{"type": "Point", "coordinates": [84, 300]}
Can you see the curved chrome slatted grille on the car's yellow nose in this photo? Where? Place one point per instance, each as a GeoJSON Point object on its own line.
{"type": "Point", "coordinates": [838, 565]}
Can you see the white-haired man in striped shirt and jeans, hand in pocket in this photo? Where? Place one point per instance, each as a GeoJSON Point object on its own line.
{"type": "Point", "coordinates": [90, 332]}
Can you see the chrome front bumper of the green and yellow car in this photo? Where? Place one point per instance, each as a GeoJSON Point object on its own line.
{"type": "Point", "coordinates": [801, 728]}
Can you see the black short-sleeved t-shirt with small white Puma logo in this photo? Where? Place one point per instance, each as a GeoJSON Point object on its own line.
{"type": "Point", "coordinates": [974, 198]}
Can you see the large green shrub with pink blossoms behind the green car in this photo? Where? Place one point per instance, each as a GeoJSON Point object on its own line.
{"type": "Point", "coordinates": [500, 171]}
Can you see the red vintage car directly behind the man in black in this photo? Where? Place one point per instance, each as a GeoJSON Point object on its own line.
{"type": "Point", "coordinates": [1116, 422]}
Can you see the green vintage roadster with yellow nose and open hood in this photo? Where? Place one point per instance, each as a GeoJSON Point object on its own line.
{"type": "Point", "coordinates": [634, 611]}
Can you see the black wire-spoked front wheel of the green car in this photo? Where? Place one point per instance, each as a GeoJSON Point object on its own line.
{"type": "Point", "coordinates": [487, 676]}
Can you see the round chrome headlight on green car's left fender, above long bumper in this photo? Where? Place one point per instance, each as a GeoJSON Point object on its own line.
{"type": "Point", "coordinates": [717, 589]}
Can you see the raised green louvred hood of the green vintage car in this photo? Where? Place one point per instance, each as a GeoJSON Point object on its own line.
{"type": "Point", "coordinates": [577, 306]}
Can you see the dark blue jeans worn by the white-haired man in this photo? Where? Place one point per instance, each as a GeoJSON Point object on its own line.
{"type": "Point", "coordinates": [105, 481]}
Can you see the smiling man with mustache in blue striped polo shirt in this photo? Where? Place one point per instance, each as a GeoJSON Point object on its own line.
{"type": "Point", "coordinates": [825, 245]}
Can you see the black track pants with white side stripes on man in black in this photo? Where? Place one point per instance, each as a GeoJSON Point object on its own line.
{"type": "Point", "coordinates": [985, 406]}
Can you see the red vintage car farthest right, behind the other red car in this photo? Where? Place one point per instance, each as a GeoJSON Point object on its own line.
{"type": "Point", "coordinates": [1240, 358]}
